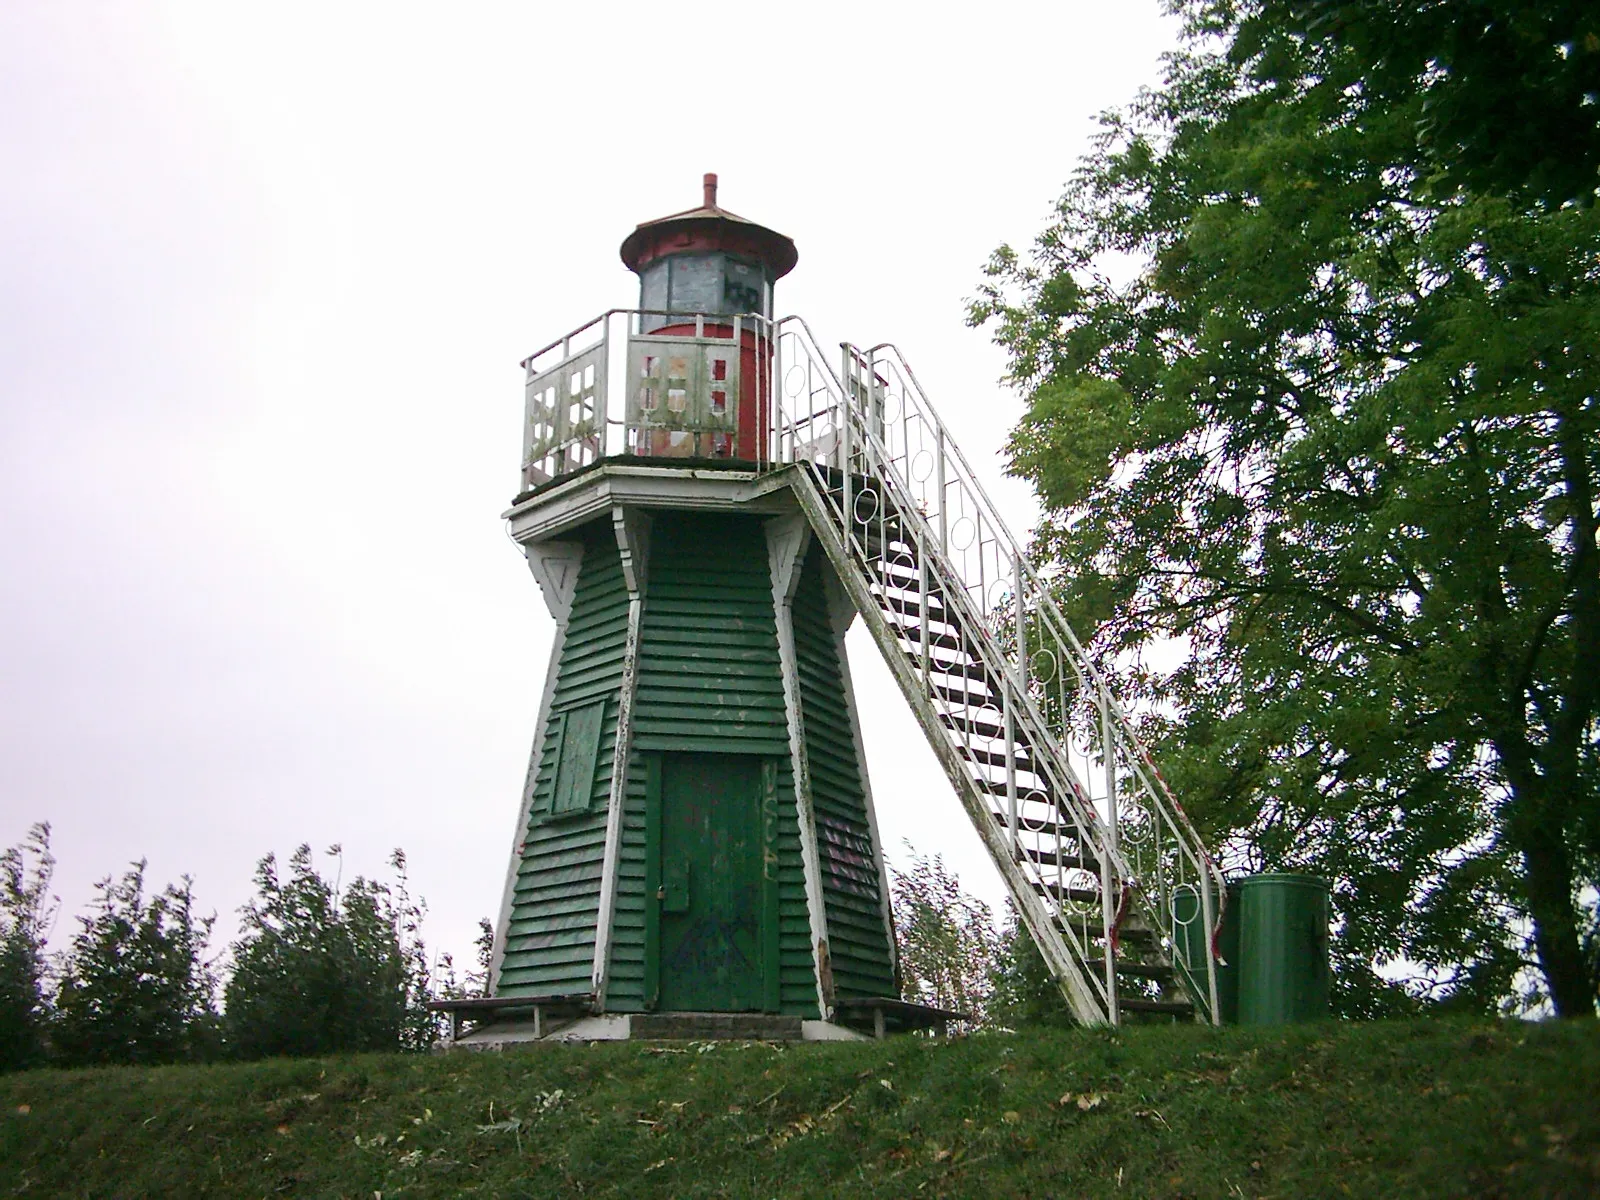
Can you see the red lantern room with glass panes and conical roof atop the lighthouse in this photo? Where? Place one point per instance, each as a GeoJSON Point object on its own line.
{"type": "Point", "coordinates": [705, 388]}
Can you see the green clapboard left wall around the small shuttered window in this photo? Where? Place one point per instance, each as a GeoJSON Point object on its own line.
{"type": "Point", "coordinates": [556, 908]}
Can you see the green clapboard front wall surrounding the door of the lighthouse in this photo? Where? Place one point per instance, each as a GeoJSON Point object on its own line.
{"type": "Point", "coordinates": [710, 681]}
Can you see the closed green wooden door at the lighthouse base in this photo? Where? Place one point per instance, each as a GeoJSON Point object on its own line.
{"type": "Point", "coordinates": [711, 894]}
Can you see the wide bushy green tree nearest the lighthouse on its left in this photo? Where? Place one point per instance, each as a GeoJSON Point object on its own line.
{"type": "Point", "coordinates": [318, 972]}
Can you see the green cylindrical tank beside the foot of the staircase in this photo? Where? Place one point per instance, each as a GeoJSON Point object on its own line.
{"type": "Point", "coordinates": [1282, 950]}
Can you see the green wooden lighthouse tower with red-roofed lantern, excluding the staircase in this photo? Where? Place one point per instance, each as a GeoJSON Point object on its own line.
{"type": "Point", "coordinates": [697, 830]}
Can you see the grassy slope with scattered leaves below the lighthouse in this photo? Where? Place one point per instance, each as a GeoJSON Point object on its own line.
{"type": "Point", "coordinates": [1409, 1110]}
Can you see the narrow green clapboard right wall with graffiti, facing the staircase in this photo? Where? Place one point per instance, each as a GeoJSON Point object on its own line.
{"type": "Point", "coordinates": [858, 943]}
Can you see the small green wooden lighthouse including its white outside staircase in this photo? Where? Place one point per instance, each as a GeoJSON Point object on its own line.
{"type": "Point", "coordinates": [708, 502]}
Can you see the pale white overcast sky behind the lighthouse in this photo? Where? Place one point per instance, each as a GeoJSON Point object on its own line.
{"type": "Point", "coordinates": [266, 273]}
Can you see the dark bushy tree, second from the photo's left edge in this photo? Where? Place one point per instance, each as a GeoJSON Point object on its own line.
{"type": "Point", "coordinates": [135, 986]}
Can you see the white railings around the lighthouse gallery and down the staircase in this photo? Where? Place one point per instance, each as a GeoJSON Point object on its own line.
{"type": "Point", "coordinates": [1087, 817]}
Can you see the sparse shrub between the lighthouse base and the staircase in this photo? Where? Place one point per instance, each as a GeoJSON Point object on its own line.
{"type": "Point", "coordinates": [946, 940]}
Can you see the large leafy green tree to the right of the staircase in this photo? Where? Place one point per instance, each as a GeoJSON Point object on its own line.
{"type": "Point", "coordinates": [1321, 455]}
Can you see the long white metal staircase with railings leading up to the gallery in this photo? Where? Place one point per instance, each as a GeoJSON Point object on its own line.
{"type": "Point", "coordinates": [1102, 863]}
